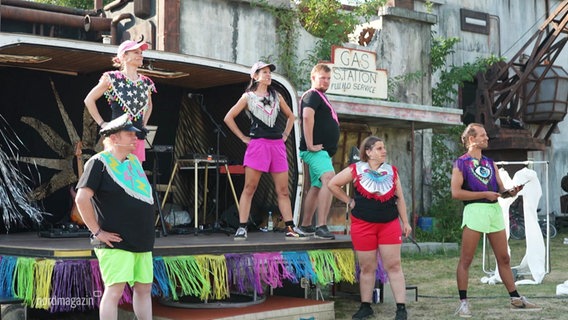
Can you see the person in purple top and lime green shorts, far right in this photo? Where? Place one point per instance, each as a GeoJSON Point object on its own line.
{"type": "Point", "coordinates": [476, 182]}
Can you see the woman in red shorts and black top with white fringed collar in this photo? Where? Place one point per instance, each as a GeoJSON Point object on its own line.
{"type": "Point", "coordinates": [377, 210]}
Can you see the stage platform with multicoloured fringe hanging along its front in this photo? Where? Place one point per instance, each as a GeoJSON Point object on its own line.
{"type": "Point", "coordinates": [54, 274]}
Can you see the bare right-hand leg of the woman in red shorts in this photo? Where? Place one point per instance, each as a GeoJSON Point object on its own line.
{"type": "Point", "coordinates": [390, 255]}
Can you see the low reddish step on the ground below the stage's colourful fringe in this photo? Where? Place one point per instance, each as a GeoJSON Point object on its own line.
{"type": "Point", "coordinates": [274, 308]}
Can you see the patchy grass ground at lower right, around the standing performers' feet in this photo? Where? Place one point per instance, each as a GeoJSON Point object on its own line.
{"type": "Point", "coordinates": [434, 274]}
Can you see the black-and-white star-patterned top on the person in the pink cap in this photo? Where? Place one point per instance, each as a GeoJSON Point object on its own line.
{"type": "Point", "coordinates": [130, 96]}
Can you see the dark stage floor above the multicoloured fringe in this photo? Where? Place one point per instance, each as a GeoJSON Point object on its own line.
{"type": "Point", "coordinates": [30, 244]}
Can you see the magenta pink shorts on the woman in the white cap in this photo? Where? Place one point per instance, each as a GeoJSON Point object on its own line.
{"type": "Point", "coordinates": [266, 155]}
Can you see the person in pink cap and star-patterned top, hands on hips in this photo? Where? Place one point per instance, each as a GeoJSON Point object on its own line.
{"type": "Point", "coordinates": [126, 91]}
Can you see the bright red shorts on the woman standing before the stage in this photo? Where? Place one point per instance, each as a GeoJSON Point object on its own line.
{"type": "Point", "coordinates": [367, 236]}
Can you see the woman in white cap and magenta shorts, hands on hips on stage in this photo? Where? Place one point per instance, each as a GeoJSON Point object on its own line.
{"type": "Point", "coordinates": [266, 145]}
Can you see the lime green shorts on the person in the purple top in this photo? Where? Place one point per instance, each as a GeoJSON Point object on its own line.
{"type": "Point", "coordinates": [483, 217]}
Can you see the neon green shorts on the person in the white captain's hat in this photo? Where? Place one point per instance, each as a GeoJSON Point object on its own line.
{"type": "Point", "coordinates": [118, 266]}
